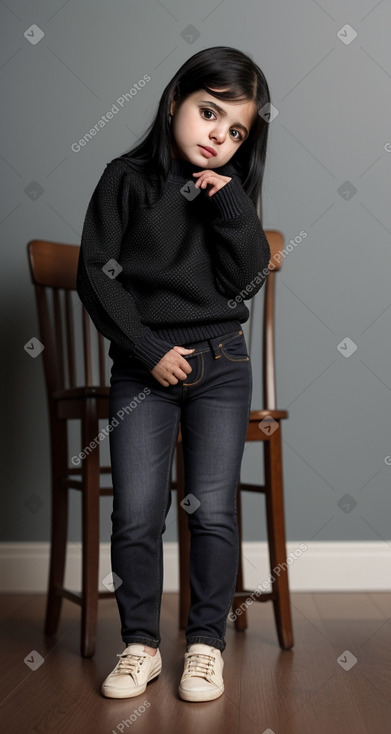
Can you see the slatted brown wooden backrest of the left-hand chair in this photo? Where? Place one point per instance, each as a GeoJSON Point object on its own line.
{"type": "Point", "coordinates": [53, 267]}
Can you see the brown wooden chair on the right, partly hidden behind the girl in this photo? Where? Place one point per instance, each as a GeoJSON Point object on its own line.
{"type": "Point", "coordinates": [270, 435]}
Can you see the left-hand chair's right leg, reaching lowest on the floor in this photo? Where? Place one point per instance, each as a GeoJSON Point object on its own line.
{"type": "Point", "coordinates": [90, 529]}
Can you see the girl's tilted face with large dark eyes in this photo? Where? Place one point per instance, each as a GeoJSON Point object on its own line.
{"type": "Point", "coordinates": [202, 120]}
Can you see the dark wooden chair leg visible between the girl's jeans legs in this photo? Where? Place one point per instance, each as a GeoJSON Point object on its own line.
{"type": "Point", "coordinates": [183, 542]}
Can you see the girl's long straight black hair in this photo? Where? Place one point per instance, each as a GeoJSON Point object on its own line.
{"type": "Point", "coordinates": [220, 67]}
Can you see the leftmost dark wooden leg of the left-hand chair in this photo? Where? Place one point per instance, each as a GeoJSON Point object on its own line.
{"type": "Point", "coordinates": [59, 526]}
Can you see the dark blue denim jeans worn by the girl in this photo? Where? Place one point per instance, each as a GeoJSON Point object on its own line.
{"type": "Point", "coordinates": [213, 407]}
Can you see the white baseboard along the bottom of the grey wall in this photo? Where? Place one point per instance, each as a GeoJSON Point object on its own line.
{"type": "Point", "coordinates": [320, 566]}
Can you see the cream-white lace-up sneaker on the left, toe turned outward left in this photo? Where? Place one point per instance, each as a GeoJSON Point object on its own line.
{"type": "Point", "coordinates": [133, 671]}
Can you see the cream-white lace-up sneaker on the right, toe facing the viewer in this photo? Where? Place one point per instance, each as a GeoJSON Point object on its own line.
{"type": "Point", "coordinates": [202, 678]}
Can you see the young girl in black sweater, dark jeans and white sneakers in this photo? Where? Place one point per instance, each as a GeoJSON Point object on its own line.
{"type": "Point", "coordinates": [171, 246]}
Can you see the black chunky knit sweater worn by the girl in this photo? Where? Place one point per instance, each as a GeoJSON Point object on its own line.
{"type": "Point", "coordinates": [155, 277]}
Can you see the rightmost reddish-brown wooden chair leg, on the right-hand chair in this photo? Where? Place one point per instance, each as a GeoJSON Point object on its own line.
{"type": "Point", "coordinates": [276, 536]}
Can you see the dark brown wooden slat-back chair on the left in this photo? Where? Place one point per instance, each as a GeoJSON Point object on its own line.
{"type": "Point", "coordinates": [53, 268]}
